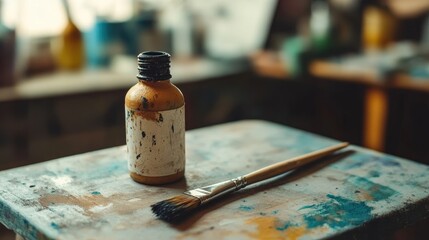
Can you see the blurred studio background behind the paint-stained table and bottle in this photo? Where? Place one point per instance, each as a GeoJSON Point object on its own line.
{"type": "Point", "coordinates": [353, 70]}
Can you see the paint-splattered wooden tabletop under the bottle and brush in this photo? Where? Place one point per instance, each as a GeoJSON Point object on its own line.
{"type": "Point", "coordinates": [356, 193]}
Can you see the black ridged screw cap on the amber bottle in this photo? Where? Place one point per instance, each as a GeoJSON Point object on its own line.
{"type": "Point", "coordinates": [153, 66]}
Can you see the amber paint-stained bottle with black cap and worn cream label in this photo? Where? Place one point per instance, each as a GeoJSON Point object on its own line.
{"type": "Point", "coordinates": [155, 123]}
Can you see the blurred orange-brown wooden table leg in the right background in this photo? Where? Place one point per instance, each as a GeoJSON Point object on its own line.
{"type": "Point", "coordinates": [375, 118]}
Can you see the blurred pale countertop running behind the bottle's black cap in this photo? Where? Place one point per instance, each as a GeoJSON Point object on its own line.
{"type": "Point", "coordinates": [121, 75]}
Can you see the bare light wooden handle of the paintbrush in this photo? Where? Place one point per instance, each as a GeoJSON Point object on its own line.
{"type": "Point", "coordinates": [289, 164]}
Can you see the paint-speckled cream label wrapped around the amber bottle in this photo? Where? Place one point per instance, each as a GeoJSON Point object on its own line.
{"type": "Point", "coordinates": [155, 141]}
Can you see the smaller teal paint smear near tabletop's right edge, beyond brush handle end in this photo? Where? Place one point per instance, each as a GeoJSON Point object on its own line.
{"type": "Point", "coordinates": [376, 191]}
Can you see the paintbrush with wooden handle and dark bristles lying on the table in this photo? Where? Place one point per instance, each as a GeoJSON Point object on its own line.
{"type": "Point", "coordinates": [175, 208]}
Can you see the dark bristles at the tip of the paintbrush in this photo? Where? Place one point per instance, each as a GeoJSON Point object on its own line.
{"type": "Point", "coordinates": [176, 208]}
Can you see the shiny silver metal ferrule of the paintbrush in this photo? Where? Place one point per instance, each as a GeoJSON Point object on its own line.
{"type": "Point", "coordinates": [211, 192]}
